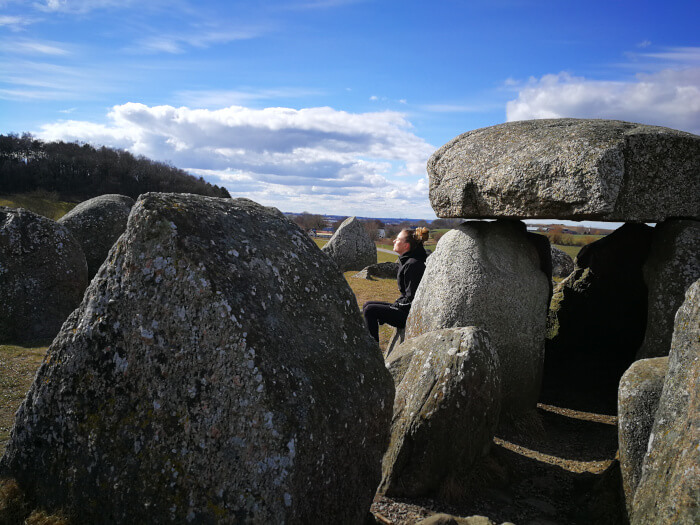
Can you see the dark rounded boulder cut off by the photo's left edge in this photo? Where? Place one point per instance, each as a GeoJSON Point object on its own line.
{"type": "Point", "coordinates": [42, 276]}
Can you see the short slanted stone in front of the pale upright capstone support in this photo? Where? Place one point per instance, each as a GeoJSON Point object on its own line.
{"type": "Point", "coordinates": [445, 411]}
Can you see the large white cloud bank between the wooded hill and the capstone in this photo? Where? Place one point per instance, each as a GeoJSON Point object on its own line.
{"type": "Point", "coordinates": [312, 158]}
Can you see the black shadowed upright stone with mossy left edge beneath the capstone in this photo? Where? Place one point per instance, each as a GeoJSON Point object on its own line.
{"type": "Point", "coordinates": [597, 317]}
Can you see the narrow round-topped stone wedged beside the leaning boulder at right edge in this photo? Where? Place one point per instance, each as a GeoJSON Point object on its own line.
{"type": "Point", "coordinates": [637, 401]}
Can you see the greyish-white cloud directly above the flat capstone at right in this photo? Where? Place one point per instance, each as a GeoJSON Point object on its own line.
{"type": "Point", "coordinates": [670, 97]}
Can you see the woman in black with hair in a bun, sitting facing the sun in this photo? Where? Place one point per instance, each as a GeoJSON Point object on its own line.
{"type": "Point", "coordinates": [409, 245]}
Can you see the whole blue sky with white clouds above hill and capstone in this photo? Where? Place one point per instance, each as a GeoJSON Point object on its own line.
{"type": "Point", "coordinates": [335, 106]}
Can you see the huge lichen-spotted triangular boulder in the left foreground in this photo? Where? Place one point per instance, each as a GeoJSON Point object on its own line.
{"type": "Point", "coordinates": [218, 370]}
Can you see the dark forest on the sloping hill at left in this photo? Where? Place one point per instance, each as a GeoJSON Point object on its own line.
{"type": "Point", "coordinates": [80, 171]}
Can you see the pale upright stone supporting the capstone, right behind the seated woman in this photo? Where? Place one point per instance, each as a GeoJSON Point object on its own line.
{"type": "Point", "coordinates": [487, 274]}
